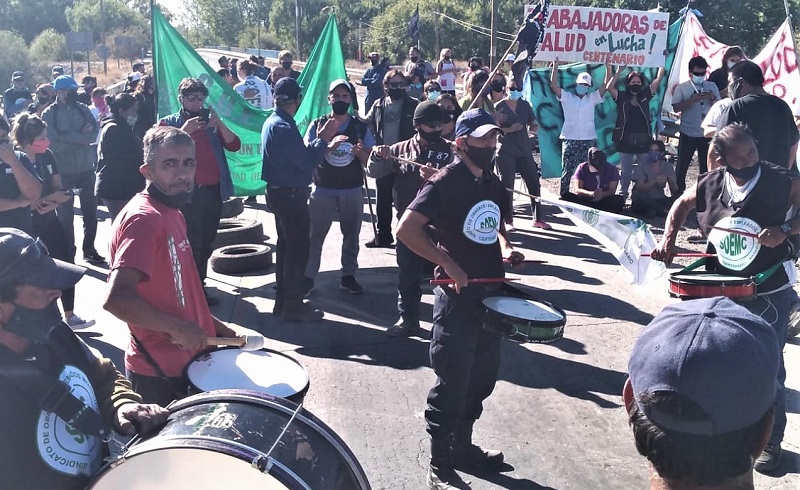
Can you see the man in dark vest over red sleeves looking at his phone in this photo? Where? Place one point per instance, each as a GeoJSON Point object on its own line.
{"type": "Point", "coordinates": [213, 183]}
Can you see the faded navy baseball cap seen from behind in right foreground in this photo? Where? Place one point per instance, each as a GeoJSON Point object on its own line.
{"type": "Point", "coordinates": [713, 352]}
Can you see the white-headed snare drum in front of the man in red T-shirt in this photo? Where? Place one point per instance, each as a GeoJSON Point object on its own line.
{"type": "Point", "coordinates": [265, 371]}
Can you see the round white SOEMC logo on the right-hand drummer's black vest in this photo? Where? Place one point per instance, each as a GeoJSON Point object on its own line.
{"type": "Point", "coordinates": [736, 252]}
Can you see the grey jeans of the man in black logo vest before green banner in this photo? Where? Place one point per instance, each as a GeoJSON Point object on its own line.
{"type": "Point", "coordinates": [323, 208]}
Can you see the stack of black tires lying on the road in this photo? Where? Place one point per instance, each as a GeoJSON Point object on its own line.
{"type": "Point", "coordinates": [239, 247]}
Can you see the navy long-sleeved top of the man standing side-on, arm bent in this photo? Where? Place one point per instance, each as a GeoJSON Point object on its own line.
{"type": "Point", "coordinates": [288, 162]}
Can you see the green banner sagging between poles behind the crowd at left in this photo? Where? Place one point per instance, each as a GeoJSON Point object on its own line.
{"type": "Point", "coordinates": [174, 59]}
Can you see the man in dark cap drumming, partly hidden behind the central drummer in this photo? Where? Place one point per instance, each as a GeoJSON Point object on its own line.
{"type": "Point", "coordinates": [432, 152]}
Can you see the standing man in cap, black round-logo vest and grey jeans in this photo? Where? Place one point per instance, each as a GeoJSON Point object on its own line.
{"type": "Point", "coordinates": [338, 182]}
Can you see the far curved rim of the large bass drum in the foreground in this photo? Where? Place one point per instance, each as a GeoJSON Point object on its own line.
{"type": "Point", "coordinates": [288, 406]}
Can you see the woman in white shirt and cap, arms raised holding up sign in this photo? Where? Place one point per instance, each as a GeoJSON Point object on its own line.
{"type": "Point", "coordinates": [578, 131]}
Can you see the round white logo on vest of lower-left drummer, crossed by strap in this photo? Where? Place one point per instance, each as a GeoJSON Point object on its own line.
{"type": "Point", "coordinates": [61, 446]}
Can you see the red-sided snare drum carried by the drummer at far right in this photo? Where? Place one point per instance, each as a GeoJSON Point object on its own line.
{"type": "Point", "coordinates": [699, 284]}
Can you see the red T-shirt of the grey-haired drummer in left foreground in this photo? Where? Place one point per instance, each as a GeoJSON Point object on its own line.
{"type": "Point", "coordinates": [151, 238]}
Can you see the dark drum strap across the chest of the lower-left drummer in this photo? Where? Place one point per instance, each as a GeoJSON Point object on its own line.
{"type": "Point", "coordinates": [54, 396]}
